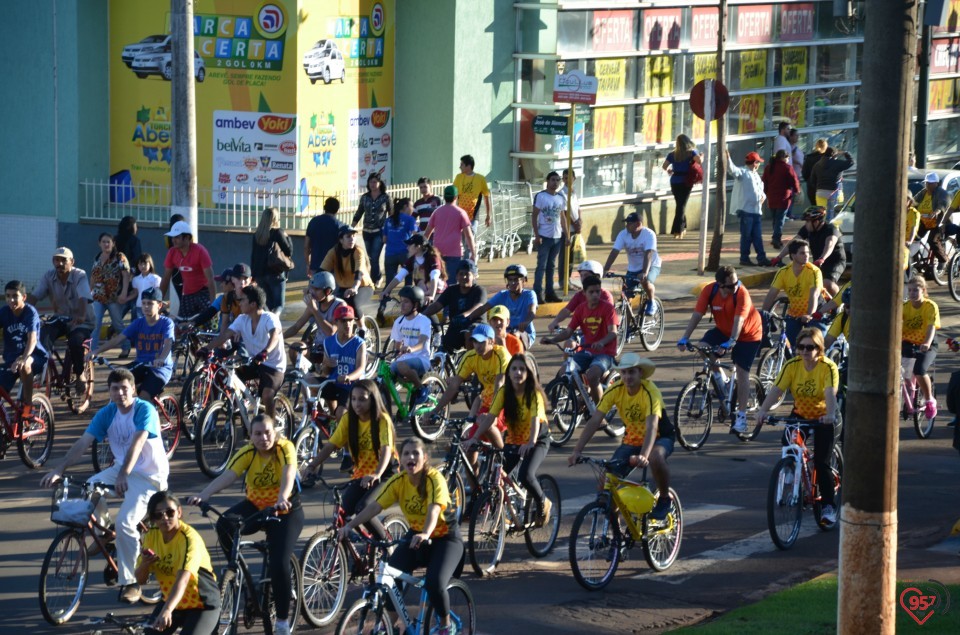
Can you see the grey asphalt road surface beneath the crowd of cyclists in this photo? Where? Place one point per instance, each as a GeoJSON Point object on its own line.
{"type": "Point", "coordinates": [727, 558]}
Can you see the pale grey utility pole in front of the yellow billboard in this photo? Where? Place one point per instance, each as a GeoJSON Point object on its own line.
{"type": "Point", "coordinates": [184, 169]}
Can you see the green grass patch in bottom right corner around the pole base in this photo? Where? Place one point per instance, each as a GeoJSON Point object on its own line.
{"type": "Point", "coordinates": [811, 608]}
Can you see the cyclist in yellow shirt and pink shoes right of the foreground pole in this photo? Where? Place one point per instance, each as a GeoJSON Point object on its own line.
{"type": "Point", "coordinates": [921, 319]}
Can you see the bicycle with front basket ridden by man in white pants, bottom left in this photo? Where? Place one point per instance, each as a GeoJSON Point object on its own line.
{"type": "Point", "coordinates": [65, 569]}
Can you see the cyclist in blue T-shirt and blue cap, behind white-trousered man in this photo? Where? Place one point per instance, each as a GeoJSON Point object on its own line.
{"type": "Point", "coordinates": [152, 335]}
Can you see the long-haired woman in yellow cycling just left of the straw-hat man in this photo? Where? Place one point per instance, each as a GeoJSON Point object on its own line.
{"type": "Point", "coordinates": [520, 405]}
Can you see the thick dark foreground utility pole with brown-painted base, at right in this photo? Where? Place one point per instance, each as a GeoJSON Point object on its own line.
{"type": "Point", "coordinates": [868, 518]}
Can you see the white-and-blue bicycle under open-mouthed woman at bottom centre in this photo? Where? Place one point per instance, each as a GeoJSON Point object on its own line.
{"type": "Point", "coordinates": [370, 613]}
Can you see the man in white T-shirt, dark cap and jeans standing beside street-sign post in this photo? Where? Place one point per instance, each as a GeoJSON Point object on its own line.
{"type": "Point", "coordinates": [549, 221]}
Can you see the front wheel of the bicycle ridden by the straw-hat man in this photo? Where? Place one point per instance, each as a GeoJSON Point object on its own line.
{"type": "Point", "coordinates": [594, 546]}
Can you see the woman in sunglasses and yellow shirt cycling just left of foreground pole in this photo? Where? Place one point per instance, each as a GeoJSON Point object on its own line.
{"type": "Point", "coordinates": [813, 381]}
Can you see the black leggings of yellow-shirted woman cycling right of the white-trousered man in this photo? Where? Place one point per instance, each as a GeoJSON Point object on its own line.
{"type": "Point", "coordinates": [282, 537]}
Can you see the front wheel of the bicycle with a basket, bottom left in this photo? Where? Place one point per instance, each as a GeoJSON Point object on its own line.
{"type": "Point", "coordinates": [63, 577]}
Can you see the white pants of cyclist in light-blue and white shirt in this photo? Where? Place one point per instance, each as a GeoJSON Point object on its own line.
{"type": "Point", "coordinates": [132, 511]}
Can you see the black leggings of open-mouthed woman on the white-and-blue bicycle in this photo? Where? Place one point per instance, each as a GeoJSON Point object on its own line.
{"type": "Point", "coordinates": [442, 558]}
